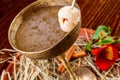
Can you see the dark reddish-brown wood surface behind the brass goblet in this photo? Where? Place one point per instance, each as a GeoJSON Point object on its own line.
{"type": "Point", "coordinates": [94, 13]}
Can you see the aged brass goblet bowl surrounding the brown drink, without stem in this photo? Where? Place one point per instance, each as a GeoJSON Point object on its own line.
{"type": "Point", "coordinates": [53, 51]}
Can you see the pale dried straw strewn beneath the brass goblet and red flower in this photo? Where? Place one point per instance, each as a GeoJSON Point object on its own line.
{"type": "Point", "coordinates": [32, 69]}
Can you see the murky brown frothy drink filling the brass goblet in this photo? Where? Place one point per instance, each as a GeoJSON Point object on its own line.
{"type": "Point", "coordinates": [40, 31]}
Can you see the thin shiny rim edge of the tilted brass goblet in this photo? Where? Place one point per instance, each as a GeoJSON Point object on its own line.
{"type": "Point", "coordinates": [30, 6]}
